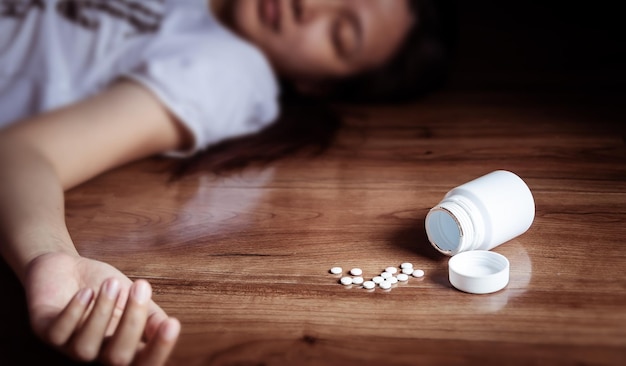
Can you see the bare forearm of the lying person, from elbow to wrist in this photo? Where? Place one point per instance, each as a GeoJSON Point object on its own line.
{"type": "Point", "coordinates": [32, 219]}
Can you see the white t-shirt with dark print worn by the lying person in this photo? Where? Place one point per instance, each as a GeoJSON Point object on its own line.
{"type": "Point", "coordinates": [56, 52]}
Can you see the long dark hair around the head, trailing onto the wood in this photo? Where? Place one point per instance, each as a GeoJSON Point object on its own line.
{"type": "Point", "coordinates": [309, 125]}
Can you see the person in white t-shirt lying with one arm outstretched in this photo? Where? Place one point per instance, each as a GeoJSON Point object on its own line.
{"type": "Point", "coordinates": [86, 86]}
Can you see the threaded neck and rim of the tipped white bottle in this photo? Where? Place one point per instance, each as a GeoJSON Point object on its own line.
{"type": "Point", "coordinates": [455, 225]}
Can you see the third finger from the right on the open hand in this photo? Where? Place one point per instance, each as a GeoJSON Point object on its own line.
{"type": "Point", "coordinates": [86, 344]}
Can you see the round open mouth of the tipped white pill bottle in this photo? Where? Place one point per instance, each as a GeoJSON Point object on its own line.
{"type": "Point", "coordinates": [443, 231]}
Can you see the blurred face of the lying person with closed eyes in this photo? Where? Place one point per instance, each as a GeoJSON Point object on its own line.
{"type": "Point", "coordinates": [312, 40]}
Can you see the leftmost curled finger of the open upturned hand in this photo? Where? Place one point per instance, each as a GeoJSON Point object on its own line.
{"type": "Point", "coordinates": [66, 323]}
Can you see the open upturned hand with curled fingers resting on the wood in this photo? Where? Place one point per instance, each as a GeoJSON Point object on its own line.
{"type": "Point", "coordinates": [90, 310]}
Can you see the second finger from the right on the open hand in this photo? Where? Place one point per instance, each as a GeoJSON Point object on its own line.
{"type": "Point", "coordinates": [125, 343]}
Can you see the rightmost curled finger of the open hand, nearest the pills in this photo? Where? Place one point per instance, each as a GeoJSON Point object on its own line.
{"type": "Point", "coordinates": [159, 348]}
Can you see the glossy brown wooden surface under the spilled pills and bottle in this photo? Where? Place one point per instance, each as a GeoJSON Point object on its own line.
{"type": "Point", "coordinates": [242, 259]}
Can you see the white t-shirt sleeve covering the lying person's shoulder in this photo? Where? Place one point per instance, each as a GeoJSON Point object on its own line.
{"type": "Point", "coordinates": [215, 83]}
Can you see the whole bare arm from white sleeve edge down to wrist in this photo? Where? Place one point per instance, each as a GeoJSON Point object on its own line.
{"type": "Point", "coordinates": [49, 153]}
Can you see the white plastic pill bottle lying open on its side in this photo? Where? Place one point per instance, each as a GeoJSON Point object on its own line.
{"type": "Point", "coordinates": [481, 214]}
